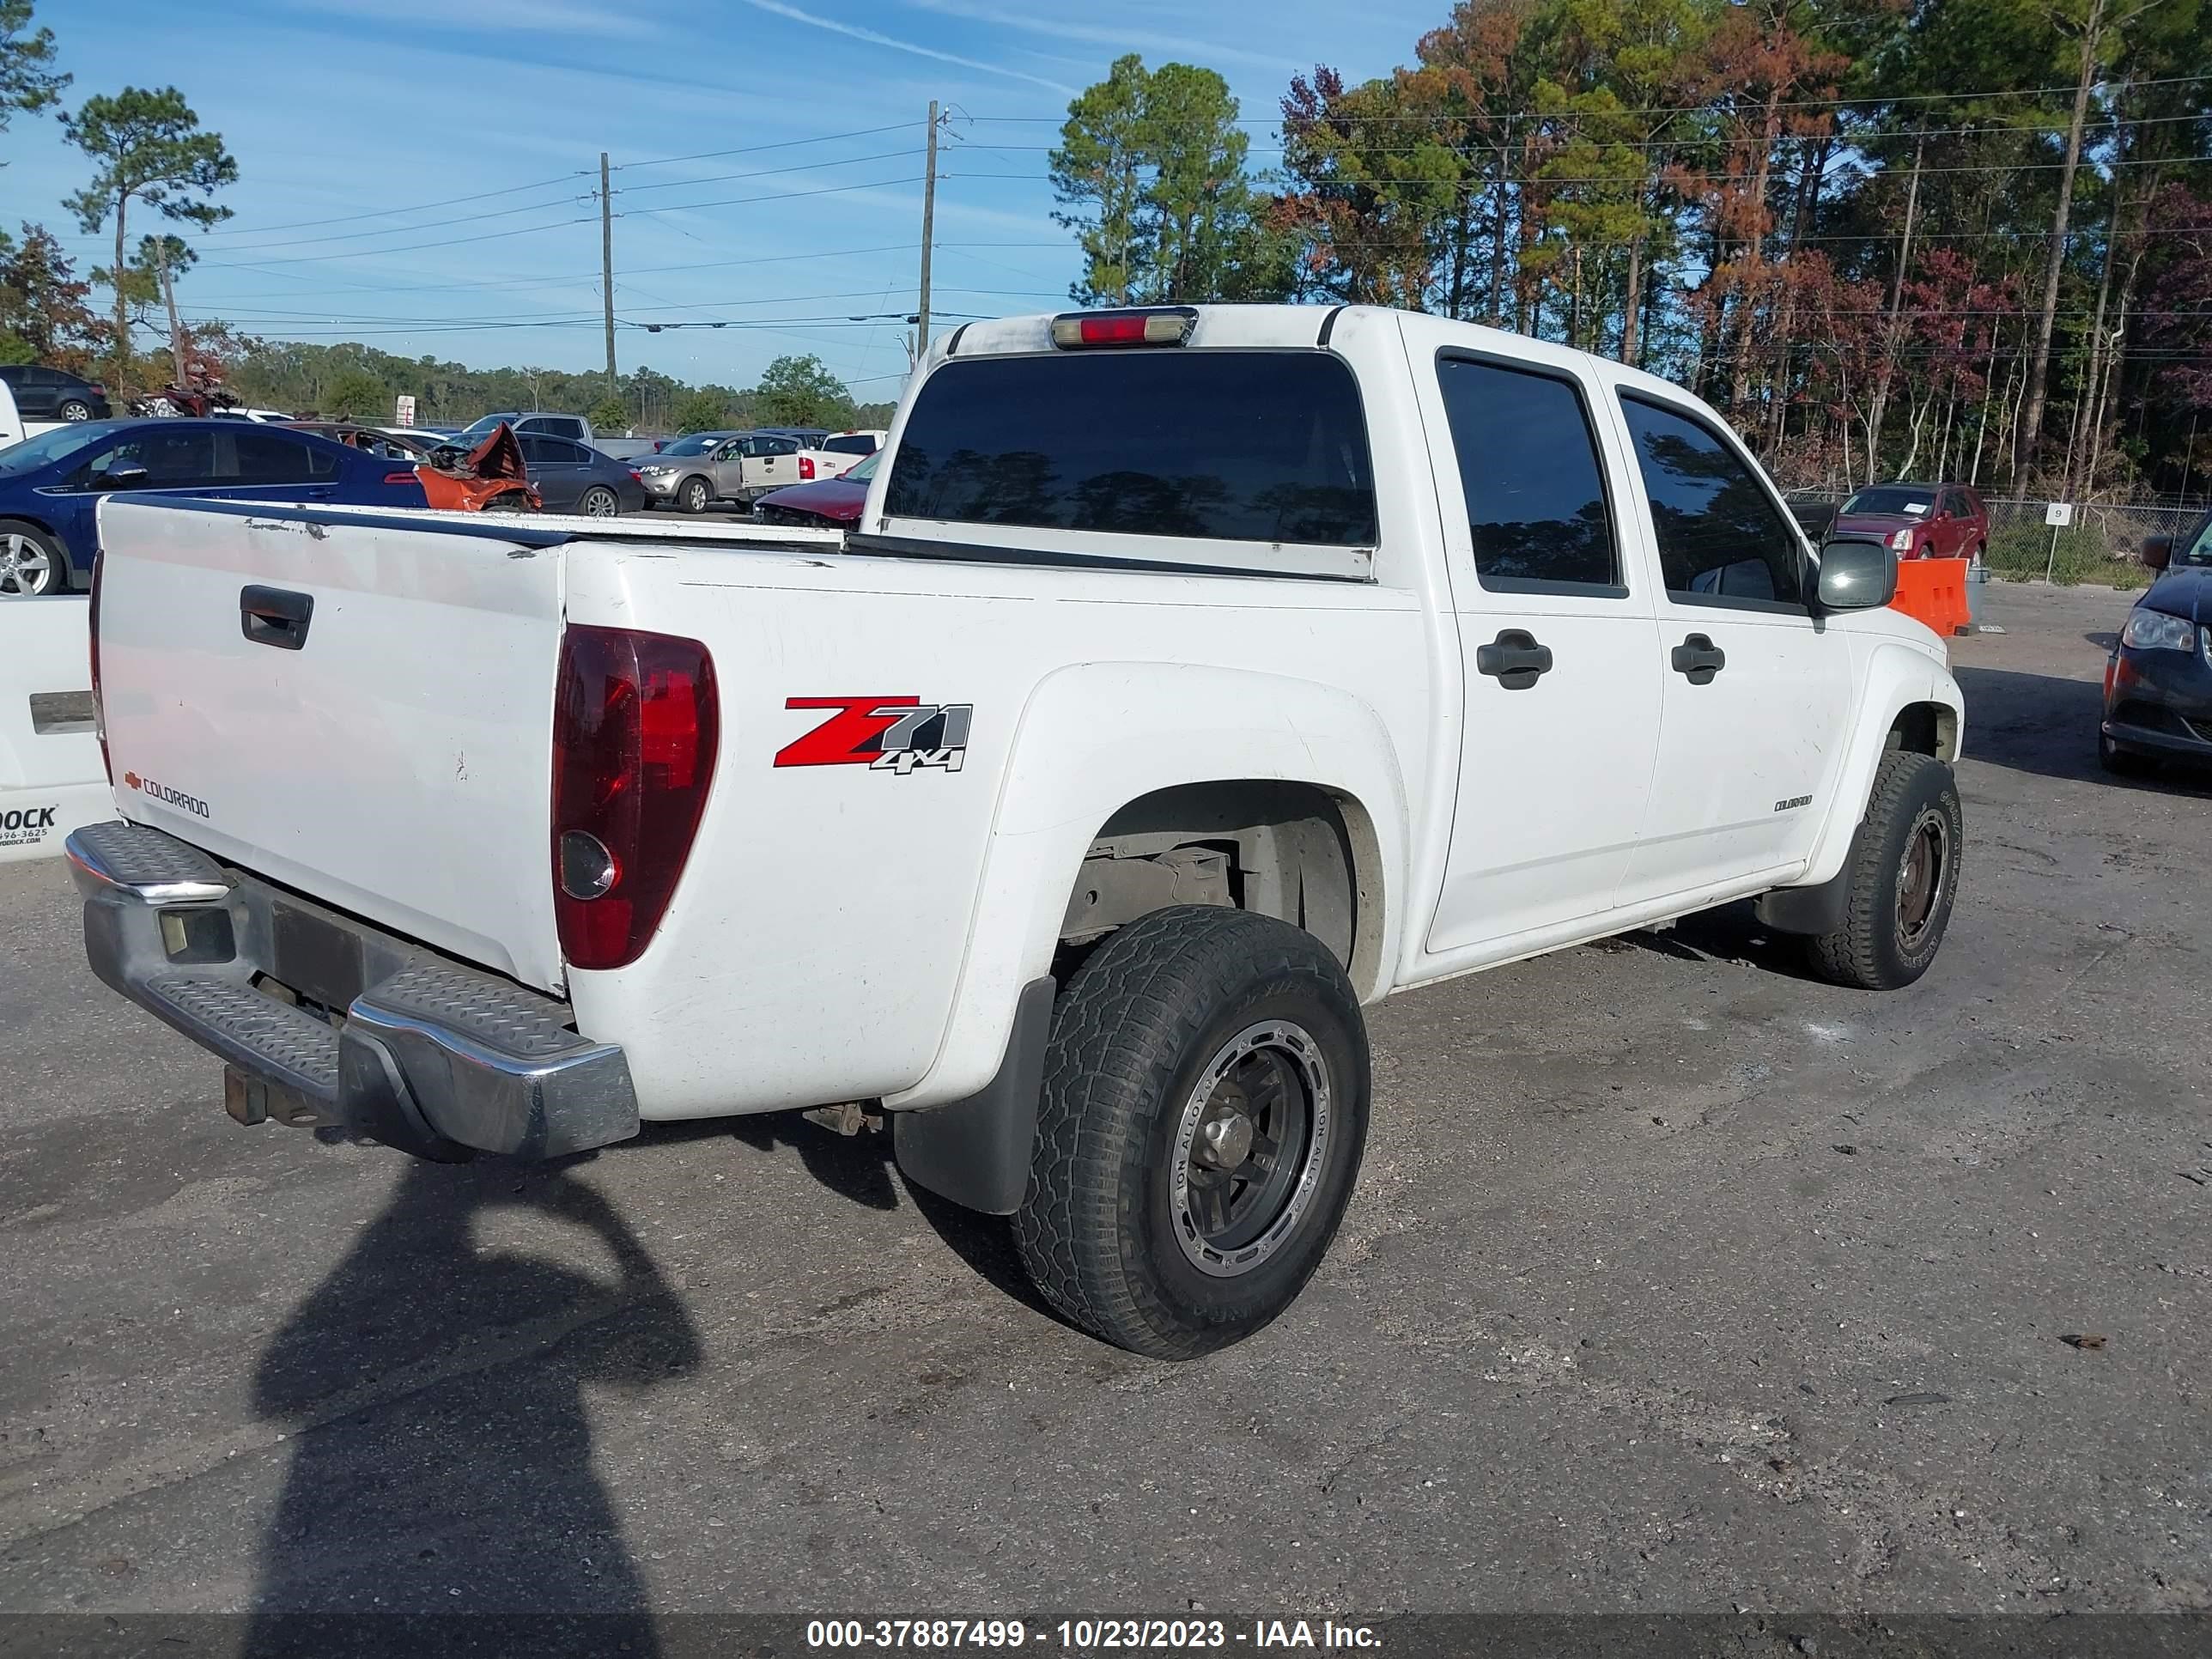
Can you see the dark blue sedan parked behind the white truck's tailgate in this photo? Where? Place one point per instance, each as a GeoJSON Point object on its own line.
{"type": "Point", "coordinates": [50, 486]}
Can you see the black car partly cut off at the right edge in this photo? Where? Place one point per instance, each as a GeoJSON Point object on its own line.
{"type": "Point", "coordinates": [2158, 685]}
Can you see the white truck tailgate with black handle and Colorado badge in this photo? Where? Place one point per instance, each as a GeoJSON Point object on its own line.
{"type": "Point", "coordinates": [355, 709]}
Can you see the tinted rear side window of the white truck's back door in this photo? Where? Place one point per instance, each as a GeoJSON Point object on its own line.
{"type": "Point", "coordinates": [1536, 497]}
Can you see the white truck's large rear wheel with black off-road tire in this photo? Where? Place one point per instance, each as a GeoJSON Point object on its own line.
{"type": "Point", "coordinates": [1200, 1129]}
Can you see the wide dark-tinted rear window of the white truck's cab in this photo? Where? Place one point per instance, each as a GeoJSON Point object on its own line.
{"type": "Point", "coordinates": [1220, 446]}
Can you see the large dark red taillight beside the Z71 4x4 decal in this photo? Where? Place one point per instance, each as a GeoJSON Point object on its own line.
{"type": "Point", "coordinates": [634, 753]}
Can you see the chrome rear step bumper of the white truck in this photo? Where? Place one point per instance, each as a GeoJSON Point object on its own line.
{"type": "Point", "coordinates": [328, 1021]}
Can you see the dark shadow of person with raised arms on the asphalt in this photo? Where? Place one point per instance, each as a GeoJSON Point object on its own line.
{"type": "Point", "coordinates": [441, 1474]}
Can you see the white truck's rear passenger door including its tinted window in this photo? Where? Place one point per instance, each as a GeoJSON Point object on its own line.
{"type": "Point", "coordinates": [1558, 645]}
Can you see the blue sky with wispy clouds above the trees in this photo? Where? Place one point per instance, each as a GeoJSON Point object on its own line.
{"type": "Point", "coordinates": [749, 182]}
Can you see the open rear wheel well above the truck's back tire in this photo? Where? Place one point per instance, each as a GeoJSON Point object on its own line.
{"type": "Point", "coordinates": [1288, 851]}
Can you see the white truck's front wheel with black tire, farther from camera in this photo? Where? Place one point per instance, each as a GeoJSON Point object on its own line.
{"type": "Point", "coordinates": [1901, 877]}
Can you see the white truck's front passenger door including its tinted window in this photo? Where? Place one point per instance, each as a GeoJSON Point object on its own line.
{"type": "Point", "coordinates": [1755, 691]}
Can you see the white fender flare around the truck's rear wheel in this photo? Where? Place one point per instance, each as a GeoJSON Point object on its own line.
{"type": "Point", "coordinates": [1096, 738]}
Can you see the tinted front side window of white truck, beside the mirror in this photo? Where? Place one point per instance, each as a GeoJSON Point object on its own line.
{"type": "Point", "coordinates": [1720, 534]}
